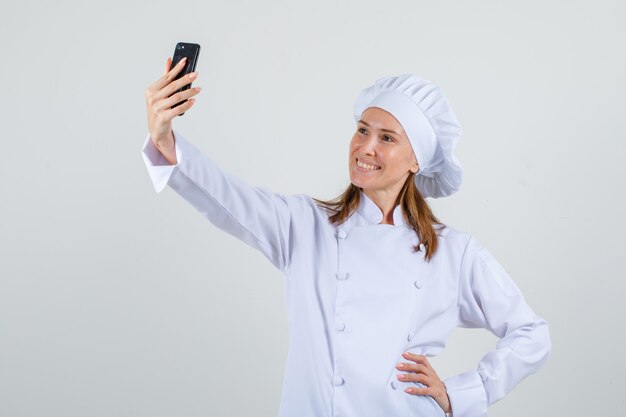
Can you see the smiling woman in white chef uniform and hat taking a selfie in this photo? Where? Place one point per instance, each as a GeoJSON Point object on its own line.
{"type": "Point", "coordinates": [374, 283]}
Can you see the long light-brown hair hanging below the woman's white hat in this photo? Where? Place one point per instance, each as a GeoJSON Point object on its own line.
{"type": "Point", "coordinates": [415, 210]}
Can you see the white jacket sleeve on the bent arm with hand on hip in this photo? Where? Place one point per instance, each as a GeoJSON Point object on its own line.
{"type": "Point", "coordinates": [489, 298]}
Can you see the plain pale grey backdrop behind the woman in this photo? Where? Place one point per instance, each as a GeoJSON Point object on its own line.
{"type": "Point", "coordinates": [118, 301]}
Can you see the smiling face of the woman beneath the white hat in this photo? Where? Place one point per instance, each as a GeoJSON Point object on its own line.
{"type": "Point", "coordinates": [382, 144]}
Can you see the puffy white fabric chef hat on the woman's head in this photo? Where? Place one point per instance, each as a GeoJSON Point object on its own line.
{"type": "Point", "coordinates": [428, 120]}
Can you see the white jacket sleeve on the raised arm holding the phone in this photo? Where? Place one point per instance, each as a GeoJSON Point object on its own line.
{"type": "Point", "coordinates": [257, 216]}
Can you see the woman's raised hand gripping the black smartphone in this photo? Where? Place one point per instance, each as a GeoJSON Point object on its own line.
{"type": "Point", "coordinates": [159, 103]}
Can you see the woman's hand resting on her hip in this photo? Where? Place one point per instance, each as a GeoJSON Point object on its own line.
{"type": "Point", "coordinates": [421, 371]}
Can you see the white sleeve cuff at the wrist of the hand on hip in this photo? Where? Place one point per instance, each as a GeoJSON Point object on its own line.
{"type": "Point", "coordinates": [467, 394]}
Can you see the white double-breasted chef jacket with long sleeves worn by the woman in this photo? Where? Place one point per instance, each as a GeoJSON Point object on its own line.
{"type": "Point", "coordinates": [357, 296]}
